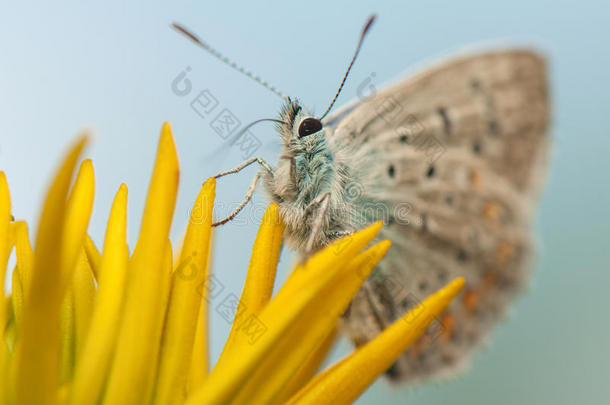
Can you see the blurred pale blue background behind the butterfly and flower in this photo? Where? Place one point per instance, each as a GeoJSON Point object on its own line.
{"type": "Point", "coordinates": [67, 66]}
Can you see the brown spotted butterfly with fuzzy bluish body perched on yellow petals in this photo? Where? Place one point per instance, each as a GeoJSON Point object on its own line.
{"type": "Point", "coordinates": [451, 160]}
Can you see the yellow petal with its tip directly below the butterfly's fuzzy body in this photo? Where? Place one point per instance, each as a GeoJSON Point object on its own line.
{"type": "Point", "coordinates": [260, 278]}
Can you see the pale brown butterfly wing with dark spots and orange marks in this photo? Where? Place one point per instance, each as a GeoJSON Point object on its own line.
{"type": "Point", "coordinates": [451, 159]}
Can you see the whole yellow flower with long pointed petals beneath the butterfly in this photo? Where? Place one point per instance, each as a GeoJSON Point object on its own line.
{"type": "Point", "coordinates": [84, 327]}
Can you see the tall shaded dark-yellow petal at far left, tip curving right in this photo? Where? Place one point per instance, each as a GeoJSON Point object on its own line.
{"type": "Point", "coordinates": [33, 360]}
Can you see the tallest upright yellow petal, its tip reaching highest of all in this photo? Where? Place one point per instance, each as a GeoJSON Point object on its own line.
{"type": "Point", "coordinates": [132, 376]}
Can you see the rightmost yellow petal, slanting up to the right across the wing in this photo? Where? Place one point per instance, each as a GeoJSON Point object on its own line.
{"type": "Point", "coordinates": [346, 380]}
